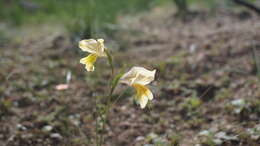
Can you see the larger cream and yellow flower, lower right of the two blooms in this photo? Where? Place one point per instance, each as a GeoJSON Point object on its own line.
{"type": "Point", "coordinates": [138, 77]}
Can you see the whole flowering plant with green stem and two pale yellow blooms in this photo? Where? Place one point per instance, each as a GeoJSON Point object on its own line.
{"type": "Point", "coordinates": [137, 77]}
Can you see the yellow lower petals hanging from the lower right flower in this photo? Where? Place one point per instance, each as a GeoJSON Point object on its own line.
{"type": "Point", "coordinates": [143, 94]}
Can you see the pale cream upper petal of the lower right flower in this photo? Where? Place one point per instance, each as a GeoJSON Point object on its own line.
{"type": "Point", "coordinates": [138, 75]}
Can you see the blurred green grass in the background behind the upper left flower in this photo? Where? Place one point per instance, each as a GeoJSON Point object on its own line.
{"type": "Point", "coordinates": [82, 17]}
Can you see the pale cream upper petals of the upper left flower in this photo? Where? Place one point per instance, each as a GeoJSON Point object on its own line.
{"type": "Point", "coordinates": [93, 46]}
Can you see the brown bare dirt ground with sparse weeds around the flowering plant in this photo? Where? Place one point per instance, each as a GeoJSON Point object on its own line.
{"type": "Point", "coordinates": [206, 91]}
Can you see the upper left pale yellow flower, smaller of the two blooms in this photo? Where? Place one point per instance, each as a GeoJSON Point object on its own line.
{"type": "Point", "coordinates": [96, 48]}
